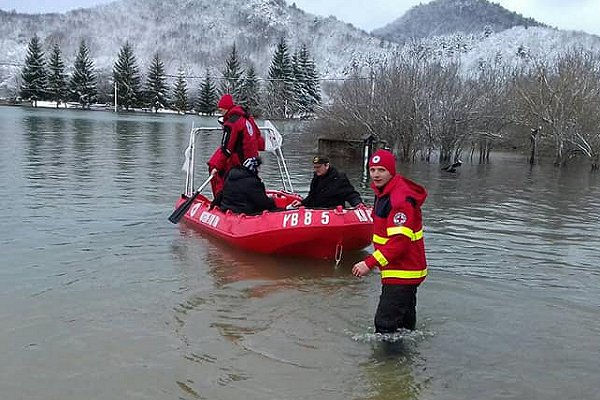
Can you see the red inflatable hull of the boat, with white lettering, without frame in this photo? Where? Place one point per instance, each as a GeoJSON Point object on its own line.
{"type": "Point", "coordinates": [303, 232]}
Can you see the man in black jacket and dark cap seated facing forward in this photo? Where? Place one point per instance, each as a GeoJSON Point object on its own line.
{"type": "Point", "coordinates": [329, 188]}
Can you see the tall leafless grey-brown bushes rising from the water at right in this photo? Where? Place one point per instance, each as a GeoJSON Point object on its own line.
{"type": "Point", "coordinates": [430, 108]}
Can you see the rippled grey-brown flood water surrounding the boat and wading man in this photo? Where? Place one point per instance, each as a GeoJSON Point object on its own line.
{"type": "Point", "coordinates": [102, 298]}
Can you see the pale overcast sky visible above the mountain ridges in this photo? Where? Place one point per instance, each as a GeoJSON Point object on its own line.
{"type": "Point", "coordinates": [370, 14]}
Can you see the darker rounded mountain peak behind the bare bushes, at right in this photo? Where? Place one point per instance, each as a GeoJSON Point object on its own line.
{"type": "Point", "coordinates": [443, 17]}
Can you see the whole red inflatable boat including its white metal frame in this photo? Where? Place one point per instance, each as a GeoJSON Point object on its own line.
{"type": "Point", "coordinates": [315, 233]}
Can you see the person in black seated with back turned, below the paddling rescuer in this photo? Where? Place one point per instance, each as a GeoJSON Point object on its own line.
{"type": "Point", "coordinates": [243, 191]}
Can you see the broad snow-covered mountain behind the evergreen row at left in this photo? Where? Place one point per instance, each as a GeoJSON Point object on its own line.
{"type": "Point", "coordinates": [193, 34]}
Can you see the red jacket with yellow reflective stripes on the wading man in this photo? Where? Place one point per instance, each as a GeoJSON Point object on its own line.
{"type": "Point", "coordinates": [398, 233]}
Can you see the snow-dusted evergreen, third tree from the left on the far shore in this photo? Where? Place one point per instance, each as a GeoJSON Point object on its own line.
{"type": "Point", "coordinates": [83, 80]}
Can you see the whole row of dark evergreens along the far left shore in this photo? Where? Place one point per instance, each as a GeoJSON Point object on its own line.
{"type": "Point", "coordinates": [292, 87]}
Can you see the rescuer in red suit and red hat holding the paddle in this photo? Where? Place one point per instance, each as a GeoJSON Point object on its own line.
{"type": "Point", "coordinates": [241, 140]}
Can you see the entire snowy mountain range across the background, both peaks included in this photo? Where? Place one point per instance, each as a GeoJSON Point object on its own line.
{"type": "Point", "coordinates": [199, 34]}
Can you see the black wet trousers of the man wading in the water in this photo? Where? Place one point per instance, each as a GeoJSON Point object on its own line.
{"type": "Point", "coordinates": [396, 309]}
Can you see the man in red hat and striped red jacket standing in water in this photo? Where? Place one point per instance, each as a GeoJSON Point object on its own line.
{"type": "Point", "coordinates": [398, 241]}
